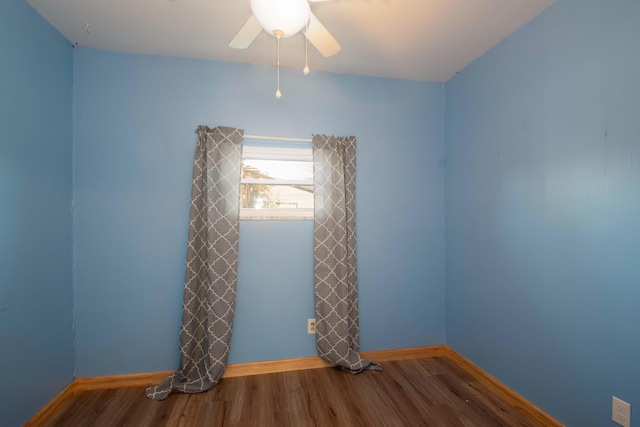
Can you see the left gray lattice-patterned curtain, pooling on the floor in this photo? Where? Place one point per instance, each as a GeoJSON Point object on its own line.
{"type": "Point", "coordinates": [212, 259]}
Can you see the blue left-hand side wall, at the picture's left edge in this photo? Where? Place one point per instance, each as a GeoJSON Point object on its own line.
{"type": "Point", "coordinates": [36, 351]}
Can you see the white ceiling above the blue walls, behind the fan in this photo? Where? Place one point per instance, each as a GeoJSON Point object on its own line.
{"type": "Point", "coordinates": [408, 39]}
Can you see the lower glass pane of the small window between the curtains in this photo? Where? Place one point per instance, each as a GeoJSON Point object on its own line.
{"type": "Point", "coordinates": [258, 196]}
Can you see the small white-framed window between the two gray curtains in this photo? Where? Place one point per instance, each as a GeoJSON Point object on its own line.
{"type": "Point", "coordinates": [277, 180]}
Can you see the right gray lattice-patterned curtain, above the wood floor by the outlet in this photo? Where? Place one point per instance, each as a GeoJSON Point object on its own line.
{"type": "Point", "coordinates": [336, 276]}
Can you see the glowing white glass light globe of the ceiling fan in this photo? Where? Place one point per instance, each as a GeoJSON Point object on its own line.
{"type": "Point", "coordinates": [288, 16]}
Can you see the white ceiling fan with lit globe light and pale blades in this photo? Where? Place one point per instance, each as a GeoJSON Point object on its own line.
{"type": "Point", "coordinates": [285, 18]}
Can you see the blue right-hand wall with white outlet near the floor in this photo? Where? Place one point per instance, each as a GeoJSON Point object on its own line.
{"type": "Point", "coordinates": [543, 210]}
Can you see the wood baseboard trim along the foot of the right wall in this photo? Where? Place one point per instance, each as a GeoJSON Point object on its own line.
{"type": "Point", "coordinates": [500, 389]}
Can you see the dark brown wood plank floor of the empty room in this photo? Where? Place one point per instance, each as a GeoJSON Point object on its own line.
{"type": "Point", "coordinates": [420, 392]}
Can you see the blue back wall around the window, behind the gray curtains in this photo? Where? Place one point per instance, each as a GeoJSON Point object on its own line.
{"type": "Point", "coordinates": [134, 140]}
